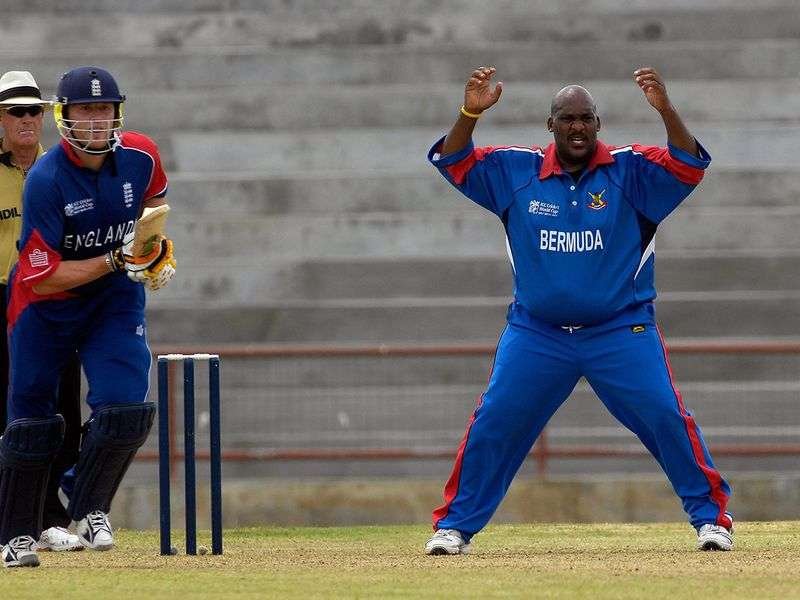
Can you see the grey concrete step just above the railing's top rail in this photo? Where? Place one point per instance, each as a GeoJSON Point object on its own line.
{"type": "Point", "coordinates": [434, 320]}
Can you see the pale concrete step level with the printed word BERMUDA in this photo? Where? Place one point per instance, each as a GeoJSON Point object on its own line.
{"type": "Point", "coordinates": [244, 244]}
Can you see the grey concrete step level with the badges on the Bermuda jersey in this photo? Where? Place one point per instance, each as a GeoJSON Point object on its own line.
{"type": "Point", "coordinates": [255, 194]}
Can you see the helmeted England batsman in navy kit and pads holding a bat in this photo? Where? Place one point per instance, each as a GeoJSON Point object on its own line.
{"type": "Point", "coordinates": [76, 287]}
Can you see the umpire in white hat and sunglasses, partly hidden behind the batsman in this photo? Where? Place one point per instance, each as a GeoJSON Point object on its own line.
{"type": "Point", "coordinates": [21, 115]}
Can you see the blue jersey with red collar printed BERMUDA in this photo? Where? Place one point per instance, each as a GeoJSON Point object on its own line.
{"type": "Point", "coordinates": [582, 251]}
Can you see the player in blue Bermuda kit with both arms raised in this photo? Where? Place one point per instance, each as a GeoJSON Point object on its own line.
{"type": "Point", "coordinates": [580, 218]}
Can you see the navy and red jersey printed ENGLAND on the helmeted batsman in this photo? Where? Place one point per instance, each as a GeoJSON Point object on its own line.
{"type": "Point", "coordinates": [74, 213]}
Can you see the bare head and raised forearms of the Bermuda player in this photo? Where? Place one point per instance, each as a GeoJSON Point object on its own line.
{"type": "Point", "coordinates": [573, 117]}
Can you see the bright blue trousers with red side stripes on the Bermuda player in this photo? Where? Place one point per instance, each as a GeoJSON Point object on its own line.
{"type": "Point", "coordinates": [536, 367]}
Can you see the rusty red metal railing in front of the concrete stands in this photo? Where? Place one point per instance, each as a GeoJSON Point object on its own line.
{"type": "Point", "coordinates": [542, 452]}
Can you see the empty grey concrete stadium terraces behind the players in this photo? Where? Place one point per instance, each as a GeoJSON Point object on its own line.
{"type": "Point", "coordinates": [295, 136]}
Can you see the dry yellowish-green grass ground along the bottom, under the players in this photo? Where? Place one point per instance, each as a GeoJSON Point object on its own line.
{"type": "Point", "coordinates": [532, 561]}
